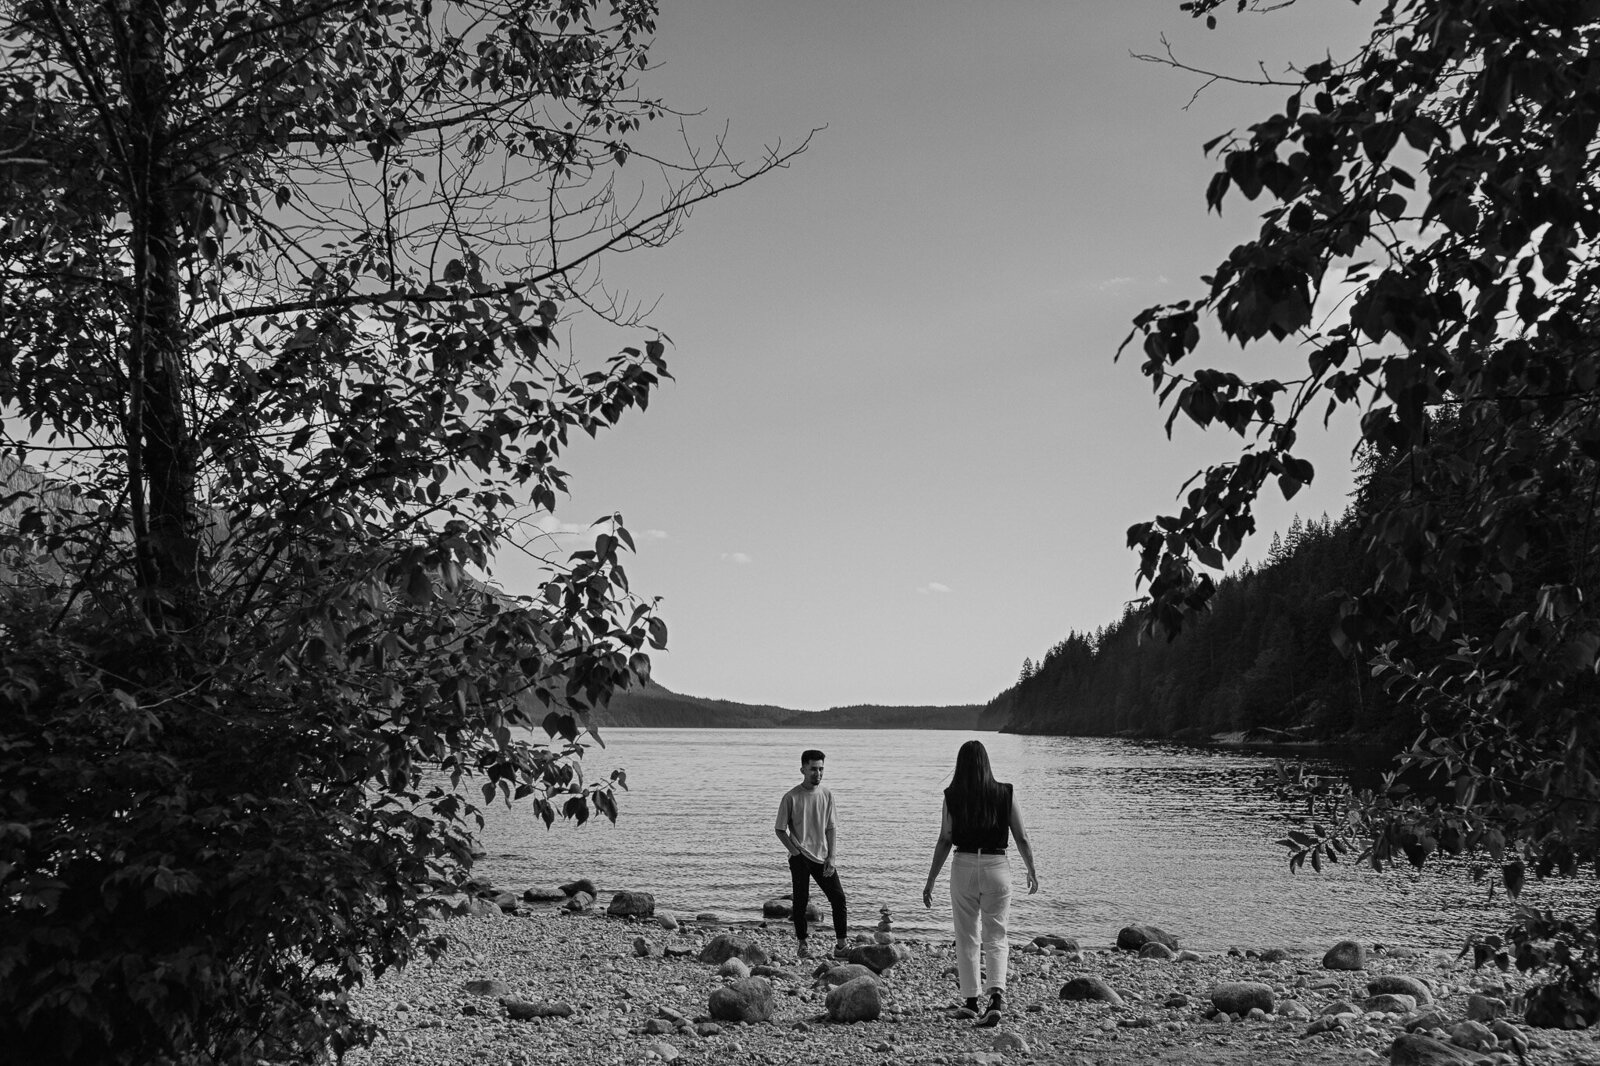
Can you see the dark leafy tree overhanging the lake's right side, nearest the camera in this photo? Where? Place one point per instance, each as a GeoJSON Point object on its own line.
{"type": "Point", "coordinates": [1433, 212]}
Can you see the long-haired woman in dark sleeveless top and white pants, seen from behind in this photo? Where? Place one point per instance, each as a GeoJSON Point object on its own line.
{"type": "Point", "coordinates": [978, 817]}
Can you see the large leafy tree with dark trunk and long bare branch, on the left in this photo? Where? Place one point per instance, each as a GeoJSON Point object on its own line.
{"type": "Point", "coordinates": [281, 297]}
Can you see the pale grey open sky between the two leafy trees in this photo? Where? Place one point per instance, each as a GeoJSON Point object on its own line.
{"type": "Point", "coordinates": [898, 455]}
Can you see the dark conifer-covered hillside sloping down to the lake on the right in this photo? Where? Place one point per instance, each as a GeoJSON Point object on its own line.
{"type": "Point", "coordinates": [1262, 662]}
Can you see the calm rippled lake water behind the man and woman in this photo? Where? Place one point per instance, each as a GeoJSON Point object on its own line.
{"type": "Point", "coordinates": [1122, 832]}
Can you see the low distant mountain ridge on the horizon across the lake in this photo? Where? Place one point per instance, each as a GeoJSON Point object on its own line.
{"type": "Point", "coordinates": [662, 708]}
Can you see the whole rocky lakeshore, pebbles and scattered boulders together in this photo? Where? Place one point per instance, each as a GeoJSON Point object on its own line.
{"type": "Point", "coordinates": [558, 980]}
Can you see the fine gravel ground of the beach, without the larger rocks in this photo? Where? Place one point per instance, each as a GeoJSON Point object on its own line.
{"type": "Point", "coordinates": [630, 1009]}
